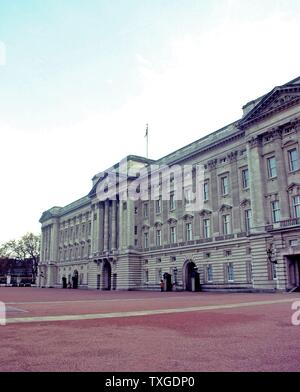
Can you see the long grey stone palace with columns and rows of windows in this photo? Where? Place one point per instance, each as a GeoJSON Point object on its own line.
{"type": "Point", "coordinates": [245, 236]}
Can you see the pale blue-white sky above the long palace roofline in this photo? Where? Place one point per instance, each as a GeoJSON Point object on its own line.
{"type": "Point", "coordinates": [80, 80]}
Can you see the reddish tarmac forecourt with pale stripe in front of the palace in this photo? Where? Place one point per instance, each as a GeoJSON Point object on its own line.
{"type": "Point", "coordinates": [147, 331]}
